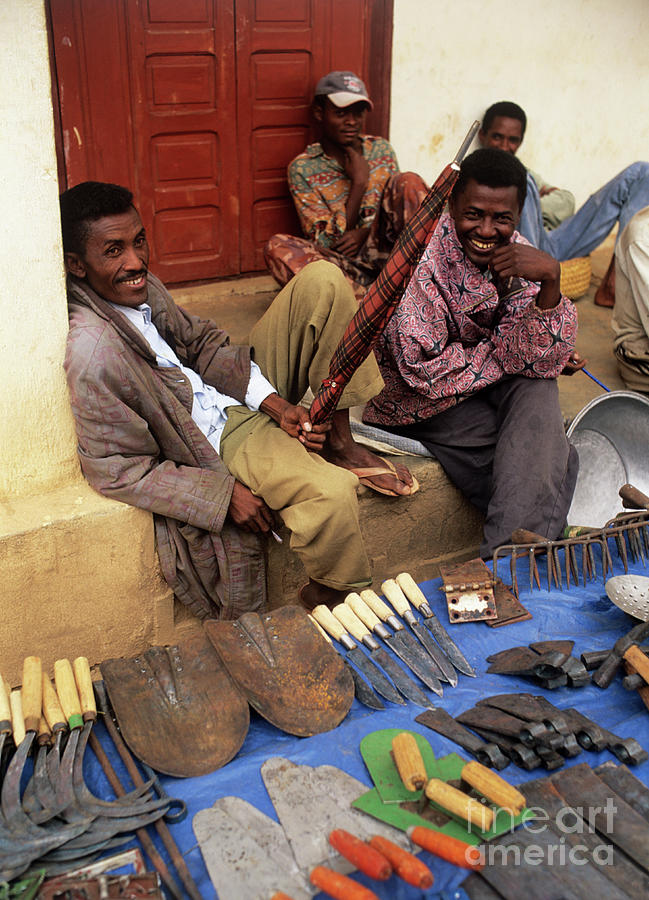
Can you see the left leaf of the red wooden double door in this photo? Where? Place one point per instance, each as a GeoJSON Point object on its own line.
{"type": "Point", "coordinates": [184, 110]}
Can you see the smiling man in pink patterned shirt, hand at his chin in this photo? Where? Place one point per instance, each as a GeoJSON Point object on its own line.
{"type": "Point", "coordinates": [470, 357]}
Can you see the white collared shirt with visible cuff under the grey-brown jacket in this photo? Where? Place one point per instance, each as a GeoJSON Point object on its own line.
{"type": "Point", "coordinates": [209, 405]}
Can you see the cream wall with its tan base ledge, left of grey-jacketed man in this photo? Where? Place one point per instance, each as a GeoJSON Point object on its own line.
{"type": "Point", "coordinates": [73, 565]}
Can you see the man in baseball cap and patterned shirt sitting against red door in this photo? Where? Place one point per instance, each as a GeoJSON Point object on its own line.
{"type": "Point", "coordinates": [351, 199]}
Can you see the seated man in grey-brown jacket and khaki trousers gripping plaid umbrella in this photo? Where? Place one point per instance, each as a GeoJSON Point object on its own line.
{"type": "Point", "coordinates": [211, 438]}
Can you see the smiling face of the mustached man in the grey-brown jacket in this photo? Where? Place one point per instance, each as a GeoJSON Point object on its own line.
{"type": "Point", "coordinates": [115, 259]}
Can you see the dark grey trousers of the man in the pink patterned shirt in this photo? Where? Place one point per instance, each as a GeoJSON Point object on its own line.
{"type": "Point", "coordinates": [505, 448]}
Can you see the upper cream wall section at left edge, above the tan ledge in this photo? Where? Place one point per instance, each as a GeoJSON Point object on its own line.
{"type": "Point", "coordinates": [36, 432]}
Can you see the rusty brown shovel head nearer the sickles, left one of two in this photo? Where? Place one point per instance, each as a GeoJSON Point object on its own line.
{"type": "Point", "coordinates": [177, 707]}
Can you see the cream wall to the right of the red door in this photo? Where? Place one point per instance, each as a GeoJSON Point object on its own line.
{"type": "Point", "coordinates": [579, 68]}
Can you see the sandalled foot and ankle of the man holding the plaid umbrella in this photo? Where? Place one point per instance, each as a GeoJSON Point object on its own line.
{"type": "Point", "coordinates": [342, 450]}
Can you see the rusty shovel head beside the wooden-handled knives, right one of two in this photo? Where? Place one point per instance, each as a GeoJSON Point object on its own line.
{"type": "Point", "coordinates": [285, 669]}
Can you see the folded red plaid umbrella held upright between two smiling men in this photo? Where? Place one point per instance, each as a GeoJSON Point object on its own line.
{"type": "Point", "coordinates": [383, 295]}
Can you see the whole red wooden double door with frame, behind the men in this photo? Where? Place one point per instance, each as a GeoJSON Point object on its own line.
{"type": "Point", "coordinates": [199, 105]}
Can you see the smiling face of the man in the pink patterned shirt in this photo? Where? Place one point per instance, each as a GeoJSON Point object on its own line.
{"type": "Point", "coordinates": [485, 218]}
